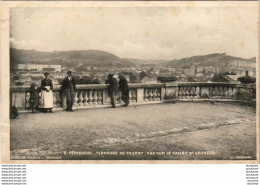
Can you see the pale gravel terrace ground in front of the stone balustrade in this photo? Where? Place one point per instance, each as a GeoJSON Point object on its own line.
{"type": "Point", "coordinates": [182, 130]}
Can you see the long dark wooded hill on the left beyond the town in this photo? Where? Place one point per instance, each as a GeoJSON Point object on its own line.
{"type": "Point", "coordinates": [68, 58]}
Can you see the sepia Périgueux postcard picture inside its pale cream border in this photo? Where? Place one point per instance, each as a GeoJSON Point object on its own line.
{"type": "Point", "coordinates": [138, 83]}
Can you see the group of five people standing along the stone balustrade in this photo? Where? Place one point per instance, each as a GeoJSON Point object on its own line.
{"type": "Point", "coordinates": [68, 88]}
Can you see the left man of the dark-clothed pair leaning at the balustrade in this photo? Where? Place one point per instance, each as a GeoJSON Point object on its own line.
{"type": "Point", "coordinates": [112, 88]}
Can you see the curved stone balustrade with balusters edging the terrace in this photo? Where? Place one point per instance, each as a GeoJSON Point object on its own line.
{"type": "Point", "coordinates": [97, 95]}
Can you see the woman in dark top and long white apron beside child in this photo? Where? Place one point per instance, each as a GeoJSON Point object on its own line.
{"type": "Point", "coordinates": [46, 94]}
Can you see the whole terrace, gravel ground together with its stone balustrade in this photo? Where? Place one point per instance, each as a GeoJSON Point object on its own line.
{"type": "Point", "coordinates": [163, 122]}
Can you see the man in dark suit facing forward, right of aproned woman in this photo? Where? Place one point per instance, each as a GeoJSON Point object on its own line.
{"type": "Point", "coordinates": [69, 88]}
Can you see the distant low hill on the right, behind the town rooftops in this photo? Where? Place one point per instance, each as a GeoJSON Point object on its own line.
{"type": "Point", "coordinates": [212, 60]}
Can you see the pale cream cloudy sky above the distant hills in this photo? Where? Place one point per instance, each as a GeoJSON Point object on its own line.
{"type": "Point", "coordinates": [141, 33]}
